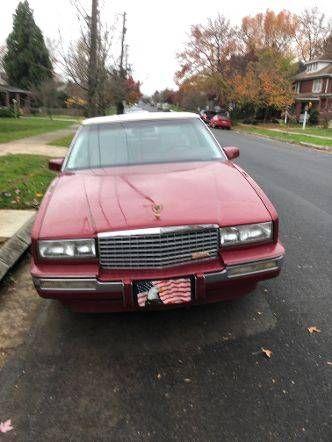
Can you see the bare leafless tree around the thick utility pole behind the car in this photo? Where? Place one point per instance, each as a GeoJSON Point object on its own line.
{"type": "Point", "coordinates": [96, 76]}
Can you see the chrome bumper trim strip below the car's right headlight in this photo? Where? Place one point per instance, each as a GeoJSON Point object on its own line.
{"type": "Point", "coordinates": [225, 275]}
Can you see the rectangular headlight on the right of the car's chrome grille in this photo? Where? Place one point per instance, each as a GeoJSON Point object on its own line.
{"type": "Point", "coordinates": [246, 234]}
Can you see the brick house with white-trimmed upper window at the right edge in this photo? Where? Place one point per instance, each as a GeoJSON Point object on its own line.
{"type": "Point", "coordinates": [314, 85]}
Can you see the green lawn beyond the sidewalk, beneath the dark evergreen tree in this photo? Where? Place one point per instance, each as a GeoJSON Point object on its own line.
{"type": "Point", "coordinates": [16, 128]}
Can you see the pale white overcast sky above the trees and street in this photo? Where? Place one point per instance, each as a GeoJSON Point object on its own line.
{"type": "Point", "coordinates": [156, 29]}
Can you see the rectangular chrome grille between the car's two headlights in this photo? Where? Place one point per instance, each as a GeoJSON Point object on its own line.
{"type": "Point", "coordinates": [158, 247]}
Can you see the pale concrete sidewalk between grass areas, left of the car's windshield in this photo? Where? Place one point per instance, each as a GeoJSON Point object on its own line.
{"type": "Point", "coordinates": [38, 144]}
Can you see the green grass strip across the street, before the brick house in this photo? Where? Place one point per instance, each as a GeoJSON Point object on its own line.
{"type": "Point", "coordinates": [291, 137]}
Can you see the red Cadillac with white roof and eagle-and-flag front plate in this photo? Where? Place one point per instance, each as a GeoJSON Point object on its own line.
{"type": "Point", "coordinates": [148, 211]}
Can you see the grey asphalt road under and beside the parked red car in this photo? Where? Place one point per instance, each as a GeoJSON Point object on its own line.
{"type": "Point", "coordinates": [198, 374]}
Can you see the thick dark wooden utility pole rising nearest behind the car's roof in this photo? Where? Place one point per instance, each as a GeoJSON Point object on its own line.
{"type": "Point", "coordinates": [92, 77]}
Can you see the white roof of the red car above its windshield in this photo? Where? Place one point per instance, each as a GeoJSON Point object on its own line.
{"type": "Point", "coordinates": [140, 116]}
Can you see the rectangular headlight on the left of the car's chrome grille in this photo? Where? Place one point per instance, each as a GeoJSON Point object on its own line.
{"type": "Point", "coordinates": [68, 248]}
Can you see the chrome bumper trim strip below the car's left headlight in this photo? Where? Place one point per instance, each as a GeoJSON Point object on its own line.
{"type": "Point", "coordinates": [93, 285]}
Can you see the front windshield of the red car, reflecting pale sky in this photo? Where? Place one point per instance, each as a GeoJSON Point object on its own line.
{"type": "Point", "coordinates": [142, 142]}
